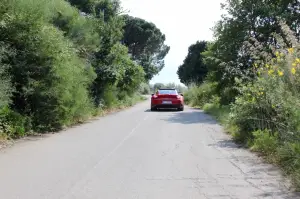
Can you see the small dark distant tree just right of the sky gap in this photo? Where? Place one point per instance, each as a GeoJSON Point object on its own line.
{"type": "Point", "coordinates": [193, 69]}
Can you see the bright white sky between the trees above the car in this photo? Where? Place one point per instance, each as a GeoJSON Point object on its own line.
{"type": "Point", "coordinates": [183, 23]}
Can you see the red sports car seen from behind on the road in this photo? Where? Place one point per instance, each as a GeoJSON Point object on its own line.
{"type": "Point", "coordinates": [167, 98]}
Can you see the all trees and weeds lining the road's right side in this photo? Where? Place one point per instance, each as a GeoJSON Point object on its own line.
{"type": "Point", "coordinates": [248, 78]}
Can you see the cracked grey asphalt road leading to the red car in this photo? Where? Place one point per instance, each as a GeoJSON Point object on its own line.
{"type": "Point", "coordinates": [137, 154]}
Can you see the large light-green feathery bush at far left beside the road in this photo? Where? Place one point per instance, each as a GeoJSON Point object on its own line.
{"type": "Point", "coordinates": [54, 81]}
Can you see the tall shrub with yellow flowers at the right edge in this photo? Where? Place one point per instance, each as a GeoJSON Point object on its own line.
{"type": "Point", "coordinates": [272, 101]}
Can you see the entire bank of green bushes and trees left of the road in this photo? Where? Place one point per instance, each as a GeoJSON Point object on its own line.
{"type": "Point", "coordinates": [62, 62]}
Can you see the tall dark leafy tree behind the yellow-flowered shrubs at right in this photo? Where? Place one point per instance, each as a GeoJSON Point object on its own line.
{"type": "Point", "coordinates": [247, 35]}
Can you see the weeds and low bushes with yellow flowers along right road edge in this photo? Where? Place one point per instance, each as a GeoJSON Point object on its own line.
{"type": "Point", "coordinates": [264, 114]}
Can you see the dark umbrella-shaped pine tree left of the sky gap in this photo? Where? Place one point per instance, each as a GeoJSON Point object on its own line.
{"type": "Point", "coordinates": [146, 44]}
